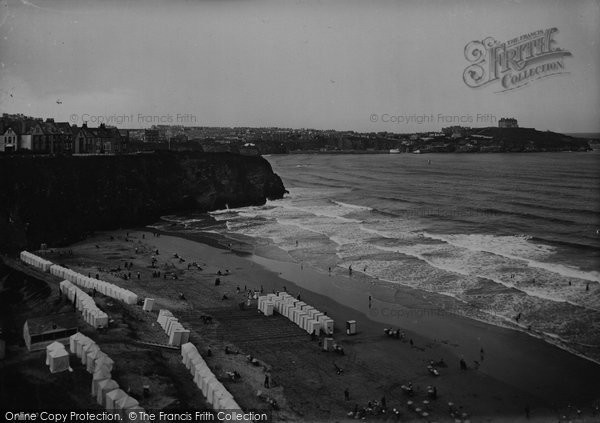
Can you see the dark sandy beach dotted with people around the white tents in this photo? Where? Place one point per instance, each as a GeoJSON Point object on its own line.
{"type": "Point", "coordinates": [517, 371]}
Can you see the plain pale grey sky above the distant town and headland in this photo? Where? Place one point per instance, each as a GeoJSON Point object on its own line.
{"type": "Point", "coordinates": [374, 65]}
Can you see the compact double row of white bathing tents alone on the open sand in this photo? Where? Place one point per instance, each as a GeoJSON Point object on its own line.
{"type": "Point", "coordinates": [302, 314]}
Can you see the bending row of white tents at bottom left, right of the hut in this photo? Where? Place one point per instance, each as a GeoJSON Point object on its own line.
{"type": "Point", "coordinates": [105, 389]}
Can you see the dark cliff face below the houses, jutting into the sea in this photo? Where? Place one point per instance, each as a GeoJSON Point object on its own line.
{"type": "Point", "coordinates": [58, 200]}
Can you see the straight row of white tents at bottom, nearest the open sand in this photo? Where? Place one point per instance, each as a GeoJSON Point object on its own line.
{"type": "Point", "coordinates": [213, 390]}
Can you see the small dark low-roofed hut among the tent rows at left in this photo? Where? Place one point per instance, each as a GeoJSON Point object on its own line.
{"type": "Point", "coordinates": [42, 331]}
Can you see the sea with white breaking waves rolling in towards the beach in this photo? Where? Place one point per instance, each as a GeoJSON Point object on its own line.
{"type": "Point", "coordinates": [512, 238]}
